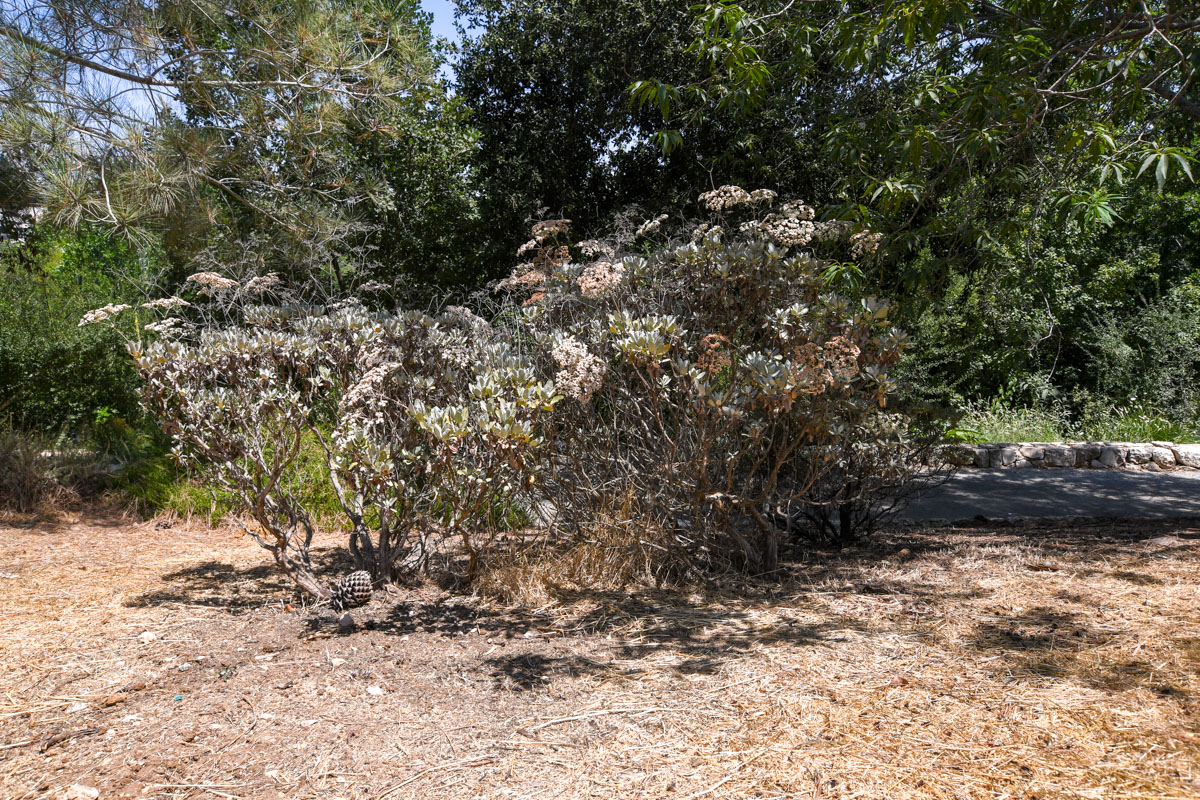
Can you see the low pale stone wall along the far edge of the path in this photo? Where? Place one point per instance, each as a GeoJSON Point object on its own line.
{"type": "Point", "coordinates": [1153, 458]}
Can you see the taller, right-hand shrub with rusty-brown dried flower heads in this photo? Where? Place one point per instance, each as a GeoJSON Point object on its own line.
{"type": "Point", "coordinates": [718, 378]}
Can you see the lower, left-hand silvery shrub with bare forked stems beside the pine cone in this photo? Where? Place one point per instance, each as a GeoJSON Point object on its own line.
{"type": "Point", "coordinates": [433, 425]}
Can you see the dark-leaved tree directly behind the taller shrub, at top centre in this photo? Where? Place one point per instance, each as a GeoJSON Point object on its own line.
{"type": "Point", "coordinates": [547, 85]}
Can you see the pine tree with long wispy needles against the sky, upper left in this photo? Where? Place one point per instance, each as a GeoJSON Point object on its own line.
{"type": "Point", "coordinates": [217, 123]}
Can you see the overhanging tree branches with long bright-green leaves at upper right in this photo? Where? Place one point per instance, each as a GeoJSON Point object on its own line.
{"type": "Point", "coordinates": [956, 121]}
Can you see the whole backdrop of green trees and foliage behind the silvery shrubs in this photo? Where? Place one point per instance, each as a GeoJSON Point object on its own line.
{"type": "Point", "coordinates": [1028, 167]}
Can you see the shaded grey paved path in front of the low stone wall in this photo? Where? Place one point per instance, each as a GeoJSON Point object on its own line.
{"type": "Point", "coordinates": [1034, 494]}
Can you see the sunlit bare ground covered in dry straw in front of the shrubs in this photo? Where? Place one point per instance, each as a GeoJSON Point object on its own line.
{"type": "Point", "coordinates": [157, 660]}
